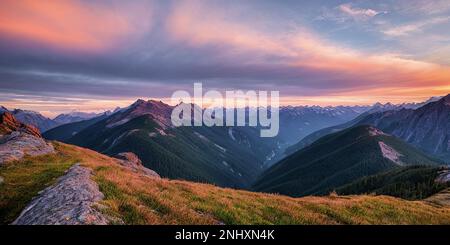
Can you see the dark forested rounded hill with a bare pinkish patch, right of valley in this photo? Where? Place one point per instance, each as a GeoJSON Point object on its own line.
{"type": "Point", "coordinates": [338, 159]}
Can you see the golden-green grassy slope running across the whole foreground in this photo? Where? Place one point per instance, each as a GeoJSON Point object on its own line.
{"type": "Point", "coordinates": [138, 199]}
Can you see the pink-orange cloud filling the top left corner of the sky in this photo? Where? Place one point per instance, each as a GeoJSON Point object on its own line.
{"type": "Point", "coordinates": [66, 24]}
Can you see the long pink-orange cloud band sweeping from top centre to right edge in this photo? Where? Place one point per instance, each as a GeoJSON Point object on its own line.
{"type": "Point", "coordinates": [198, 25]}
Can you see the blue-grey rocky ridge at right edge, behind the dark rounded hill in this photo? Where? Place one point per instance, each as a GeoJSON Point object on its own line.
{"type": "Point", "coordinates": [426, 127]}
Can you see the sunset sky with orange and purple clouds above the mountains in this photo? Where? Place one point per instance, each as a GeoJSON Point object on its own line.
{"type": "Point", "coordinates": [59, 56]}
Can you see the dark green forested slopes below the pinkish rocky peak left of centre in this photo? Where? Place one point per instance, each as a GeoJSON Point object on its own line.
{"type": "Point", "coordinates": [199, 154]}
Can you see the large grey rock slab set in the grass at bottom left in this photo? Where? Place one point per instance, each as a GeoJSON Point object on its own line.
{"type": "Point", "coordinates": [69, 202]}
